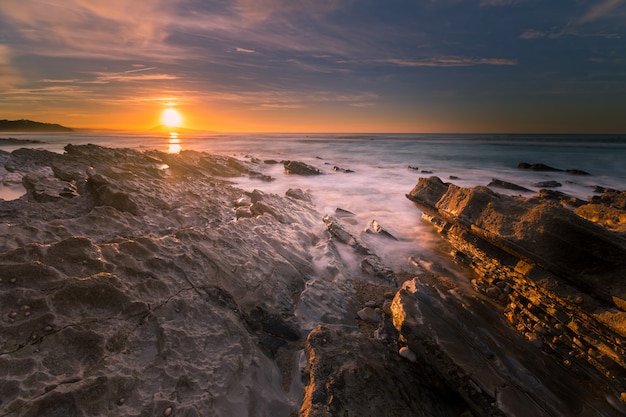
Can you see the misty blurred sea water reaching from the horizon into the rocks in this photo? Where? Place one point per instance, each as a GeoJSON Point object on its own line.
{"type": "Point", "coordinates": [382, 168]}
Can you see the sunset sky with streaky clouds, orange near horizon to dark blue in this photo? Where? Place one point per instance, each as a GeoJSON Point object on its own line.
{"type": "Point", "coordinates": [466, 66]}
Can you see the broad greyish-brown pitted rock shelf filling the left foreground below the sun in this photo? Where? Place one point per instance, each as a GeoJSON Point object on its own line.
{"type": "Point", "coordinates": [128, 286]}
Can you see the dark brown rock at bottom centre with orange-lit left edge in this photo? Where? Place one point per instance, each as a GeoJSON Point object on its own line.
{"type": "Point", "coordinates": [349, 374]}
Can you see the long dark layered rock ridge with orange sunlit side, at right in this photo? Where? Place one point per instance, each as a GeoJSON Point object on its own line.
{"type": "Point", "coordinates": [561, 276]}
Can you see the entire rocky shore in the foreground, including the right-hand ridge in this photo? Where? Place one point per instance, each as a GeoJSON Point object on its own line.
{"type": "Point", "coordinates": [146, 283]}
